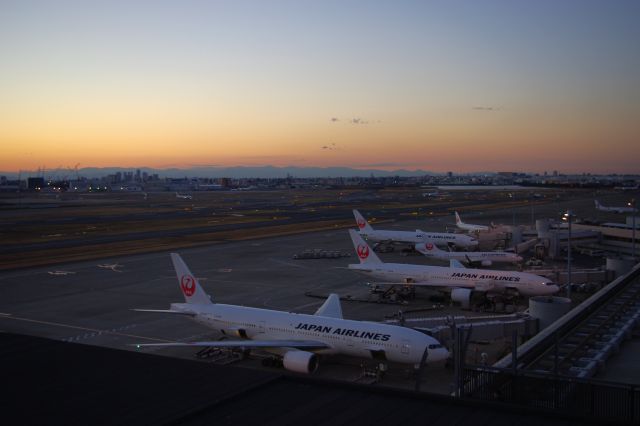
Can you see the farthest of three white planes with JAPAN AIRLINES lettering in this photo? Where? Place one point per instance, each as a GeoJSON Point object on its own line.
{"type": "Point", "coordinates": [410, 237]}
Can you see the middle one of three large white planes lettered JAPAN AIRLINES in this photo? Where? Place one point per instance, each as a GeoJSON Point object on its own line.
{"type": "Point", "coordinates": [459, 281]}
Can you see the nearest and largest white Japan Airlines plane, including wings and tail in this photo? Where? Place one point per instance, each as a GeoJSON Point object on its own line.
{"type": "Point", "coordinates": [298, 338]}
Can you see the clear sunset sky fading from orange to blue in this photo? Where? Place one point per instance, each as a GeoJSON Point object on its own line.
{"type": "Point", "coordinates": [437, 85]}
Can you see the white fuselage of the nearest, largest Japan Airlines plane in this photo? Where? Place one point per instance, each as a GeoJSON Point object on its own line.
{"type": "Point", "coordinates": [347, 337]}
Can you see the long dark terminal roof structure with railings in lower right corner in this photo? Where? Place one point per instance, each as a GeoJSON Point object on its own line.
{"type": "Point", "coordinates": [554, 369]}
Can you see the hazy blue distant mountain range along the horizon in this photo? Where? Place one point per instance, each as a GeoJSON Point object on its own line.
{"type": "Point", "coordinates": [229, 172]}
